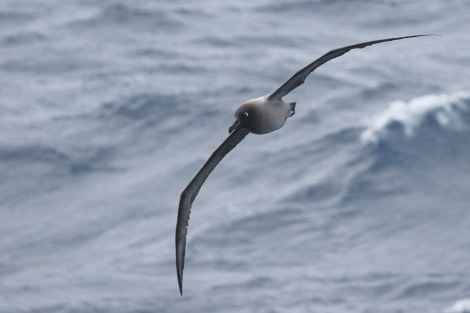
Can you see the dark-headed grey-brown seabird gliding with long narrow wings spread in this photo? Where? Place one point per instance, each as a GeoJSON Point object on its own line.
{"type": "Point", "coordinates": [259, 116]}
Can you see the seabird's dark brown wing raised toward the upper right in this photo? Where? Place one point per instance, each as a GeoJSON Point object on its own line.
{"type": "Point", "coordinates": [299, 77]}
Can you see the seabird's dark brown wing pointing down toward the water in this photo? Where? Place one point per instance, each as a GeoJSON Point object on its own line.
{"type": "Point", "coordinates": [190, 192]}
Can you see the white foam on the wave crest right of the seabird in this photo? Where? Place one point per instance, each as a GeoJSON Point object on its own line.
{"type": "Point", "coordinates": [410, 115]}
